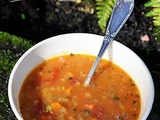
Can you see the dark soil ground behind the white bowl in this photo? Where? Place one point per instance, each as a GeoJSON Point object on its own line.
{"type": "Point", "coordinates": [40, 19]}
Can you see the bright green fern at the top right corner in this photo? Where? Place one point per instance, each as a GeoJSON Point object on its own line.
{"type": "Point", "coordinates": [154, 12]}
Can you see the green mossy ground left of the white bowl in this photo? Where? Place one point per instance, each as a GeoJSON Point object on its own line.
{"type": "Point", "coordinates": [11, 48]}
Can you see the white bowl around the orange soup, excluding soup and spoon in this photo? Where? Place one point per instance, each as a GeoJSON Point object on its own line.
{"type": "Point", "coordinates": [88, 44]}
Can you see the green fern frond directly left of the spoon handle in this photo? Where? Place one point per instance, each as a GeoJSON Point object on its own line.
{"type": "Point", "coordinates": [104, 9]}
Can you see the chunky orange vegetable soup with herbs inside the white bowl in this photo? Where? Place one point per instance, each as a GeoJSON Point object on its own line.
{"type": "Point", "coordinates": [55, 90]}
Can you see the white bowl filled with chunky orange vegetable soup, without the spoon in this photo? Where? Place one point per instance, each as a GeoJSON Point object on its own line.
{"type": "Point", "coordinates": [48, 81]}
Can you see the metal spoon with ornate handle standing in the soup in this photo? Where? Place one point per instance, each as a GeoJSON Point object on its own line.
{"type": "Point", "coordinates": [121, 12]}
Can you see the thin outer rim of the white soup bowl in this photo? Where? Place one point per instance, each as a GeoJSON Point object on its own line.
{"type": "Point", "coordinates": [10, 95]}
